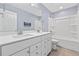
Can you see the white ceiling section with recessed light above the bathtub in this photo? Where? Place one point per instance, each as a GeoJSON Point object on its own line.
{"type": "Point", "coordinates": [53, 7]}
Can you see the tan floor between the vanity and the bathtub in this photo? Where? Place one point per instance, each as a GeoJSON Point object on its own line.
{"type": "Point", "coordinates": [63, 52]}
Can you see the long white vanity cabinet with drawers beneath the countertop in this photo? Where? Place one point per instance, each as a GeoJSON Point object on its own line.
{"type": "Point", "coordinates": [34, 46]}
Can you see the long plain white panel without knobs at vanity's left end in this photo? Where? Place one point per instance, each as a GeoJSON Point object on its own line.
{"type": "Point", "coordinates": [14, 47]}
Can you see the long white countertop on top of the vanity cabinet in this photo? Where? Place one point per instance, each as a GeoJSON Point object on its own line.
{"type": "Point", "coordinates": [14, 38]}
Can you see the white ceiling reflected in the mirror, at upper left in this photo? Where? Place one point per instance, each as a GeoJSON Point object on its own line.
{"type": "Point", "coordinates": [27, 7]}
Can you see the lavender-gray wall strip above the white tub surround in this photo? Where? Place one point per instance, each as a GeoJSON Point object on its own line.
{"type": "Point", "coordinates": [65, 12]}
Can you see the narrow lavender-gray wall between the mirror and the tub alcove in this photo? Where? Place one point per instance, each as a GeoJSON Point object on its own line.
{"type": "Point", "coordinates": [44, 17]}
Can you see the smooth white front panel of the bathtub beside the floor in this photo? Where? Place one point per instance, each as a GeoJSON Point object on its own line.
{"type": "Point", "coordinates": [69, 45]}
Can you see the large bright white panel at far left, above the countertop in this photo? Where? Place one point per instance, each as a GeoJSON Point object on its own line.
{"type": "Point", "coordinates": [8, 21]}
